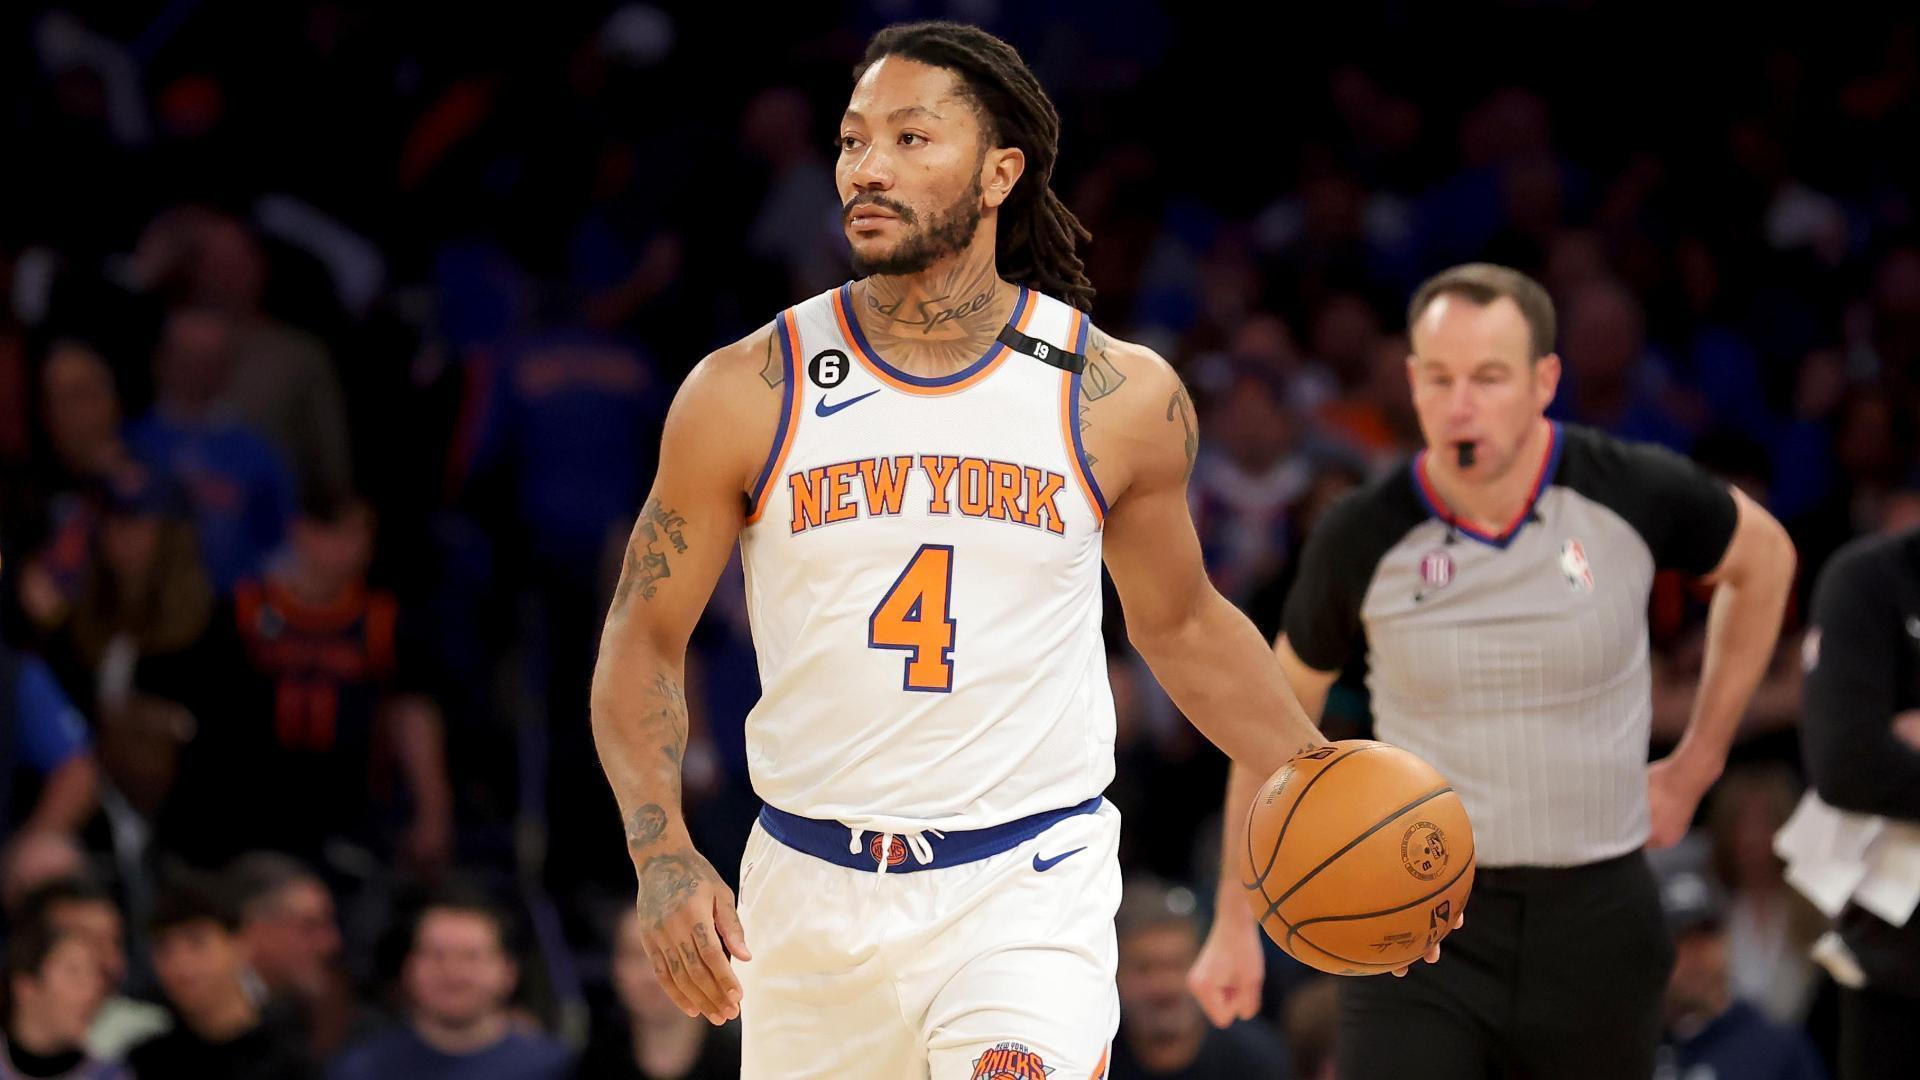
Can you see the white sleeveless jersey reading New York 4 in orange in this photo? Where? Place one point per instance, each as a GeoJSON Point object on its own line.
{"type": "Point", "coordinates": [924, 583]}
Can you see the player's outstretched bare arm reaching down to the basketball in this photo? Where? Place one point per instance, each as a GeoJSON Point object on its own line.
{"type": "Point", "coordinates": [1203, 650]}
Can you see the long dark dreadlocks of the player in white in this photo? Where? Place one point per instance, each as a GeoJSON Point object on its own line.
{"type": "Point", "coordinates": [1038, 233]}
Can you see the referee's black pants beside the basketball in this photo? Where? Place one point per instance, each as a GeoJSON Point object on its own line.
{"type": "Point", "coordinates": [1558, 975]}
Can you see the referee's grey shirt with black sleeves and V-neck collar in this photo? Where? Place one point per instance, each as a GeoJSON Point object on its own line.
{"type": "Point", "coordinates": [1518, 662]}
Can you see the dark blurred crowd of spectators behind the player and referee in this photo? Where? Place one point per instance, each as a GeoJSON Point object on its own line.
{"type": "Point", "coordinates": [335, 341]}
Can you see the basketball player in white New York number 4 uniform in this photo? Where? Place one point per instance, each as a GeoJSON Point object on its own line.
{"type": "Point", "coordinates": [924, 472]}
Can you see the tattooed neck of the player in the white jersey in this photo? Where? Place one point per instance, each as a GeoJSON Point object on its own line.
{"type": "Point", "coordinates": [936, 322]}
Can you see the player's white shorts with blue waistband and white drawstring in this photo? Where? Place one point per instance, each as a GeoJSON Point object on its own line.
{"type": "Point", "coordinates": [980, 956]}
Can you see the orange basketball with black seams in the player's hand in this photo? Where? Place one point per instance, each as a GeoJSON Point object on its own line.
{"type": "Point", "coordinates": [1358, 858]}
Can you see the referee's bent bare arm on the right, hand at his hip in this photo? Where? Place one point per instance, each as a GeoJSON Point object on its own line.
{"type": "Point", "coordinates": [1752, 583]}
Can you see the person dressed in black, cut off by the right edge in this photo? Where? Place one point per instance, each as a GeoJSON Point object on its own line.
{"type": "Point", "coordinates": [1861, 737]}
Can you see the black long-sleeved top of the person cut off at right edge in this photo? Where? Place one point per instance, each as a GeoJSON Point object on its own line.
{"type": "Point", "coordinates": [1854, 687]}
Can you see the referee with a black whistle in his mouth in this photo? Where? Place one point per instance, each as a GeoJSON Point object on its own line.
{"type": "Point", "coordinates": [1499, 585]}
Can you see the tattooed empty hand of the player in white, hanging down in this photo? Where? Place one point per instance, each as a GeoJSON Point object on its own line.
{"type": "Point", "coordinates": [686, 916]}
